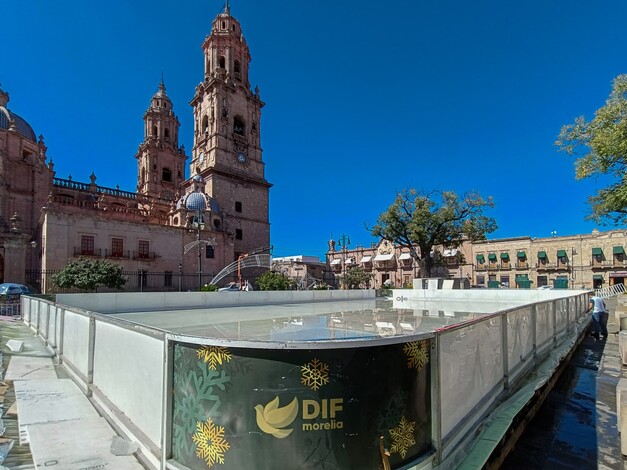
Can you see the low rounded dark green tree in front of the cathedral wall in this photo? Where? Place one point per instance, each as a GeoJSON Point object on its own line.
{"type": "Point", "coordinates": [88, 274]}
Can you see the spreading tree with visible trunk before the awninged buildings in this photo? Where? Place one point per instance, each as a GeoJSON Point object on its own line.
{"type": "Point", "coordinates": [424, 220]}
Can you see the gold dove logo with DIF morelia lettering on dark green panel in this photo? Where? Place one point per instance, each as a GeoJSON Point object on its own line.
{"type": "Point", "coordinates": [317, 415]}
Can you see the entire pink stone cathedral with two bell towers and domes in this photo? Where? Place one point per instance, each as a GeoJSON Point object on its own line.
{"type": "Point", "coordinates": [221, 209]}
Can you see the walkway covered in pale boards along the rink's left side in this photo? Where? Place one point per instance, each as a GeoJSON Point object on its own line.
{"type": "Point", "coordinates": [58, 426]}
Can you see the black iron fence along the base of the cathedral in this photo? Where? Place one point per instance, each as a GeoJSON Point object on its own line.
{"type": "Point", "coordinates": [137, 281]}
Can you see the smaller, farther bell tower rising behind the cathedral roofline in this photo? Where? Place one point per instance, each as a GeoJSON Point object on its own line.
{"type": "Point", "coordinates": [160, 161]}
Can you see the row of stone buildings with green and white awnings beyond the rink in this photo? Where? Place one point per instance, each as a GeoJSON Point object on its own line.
{"type": "Point", "coordinates": [579, 261]}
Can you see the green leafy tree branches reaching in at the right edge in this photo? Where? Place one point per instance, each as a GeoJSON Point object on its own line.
{"type": "Point", "coordinates": [600, 148]}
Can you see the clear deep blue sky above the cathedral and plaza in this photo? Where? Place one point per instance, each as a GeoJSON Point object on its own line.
{"type": "Point", "coordinates": [362, 99]}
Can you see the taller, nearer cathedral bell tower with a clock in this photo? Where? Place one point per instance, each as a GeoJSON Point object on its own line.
{"type": "Point", "coordinates": [227, 148]}
